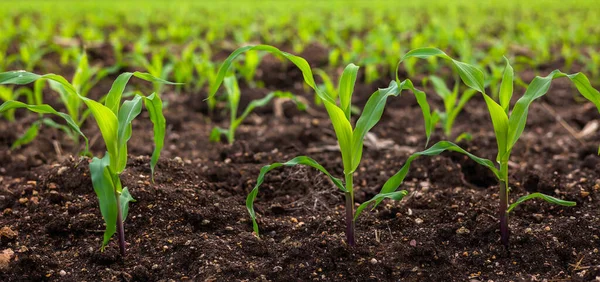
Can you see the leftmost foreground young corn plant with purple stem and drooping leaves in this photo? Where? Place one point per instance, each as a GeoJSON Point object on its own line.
{"type": "Point", "coordinates": [114, 121]}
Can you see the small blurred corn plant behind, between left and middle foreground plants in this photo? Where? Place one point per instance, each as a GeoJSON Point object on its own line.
{"type": "Point", "coordinates": [233, 99]}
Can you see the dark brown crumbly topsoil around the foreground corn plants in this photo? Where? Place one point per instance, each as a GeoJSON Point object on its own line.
{"type": "Point", "coordinates": [192, 223]}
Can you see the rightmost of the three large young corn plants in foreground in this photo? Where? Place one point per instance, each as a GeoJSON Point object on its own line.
{"type": "Point", "coordinates": [508, 126]}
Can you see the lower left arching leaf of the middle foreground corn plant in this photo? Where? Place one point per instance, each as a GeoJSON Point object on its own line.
{"type": "Point", "coordinates": [301, 160]}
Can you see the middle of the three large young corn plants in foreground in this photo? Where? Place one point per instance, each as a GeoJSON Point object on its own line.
{"type": "Point", "coordinates": [350, 139]}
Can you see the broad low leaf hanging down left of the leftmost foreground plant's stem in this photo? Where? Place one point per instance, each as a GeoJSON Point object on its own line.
{"type": "Point", "coordinates": [105, 191]}
